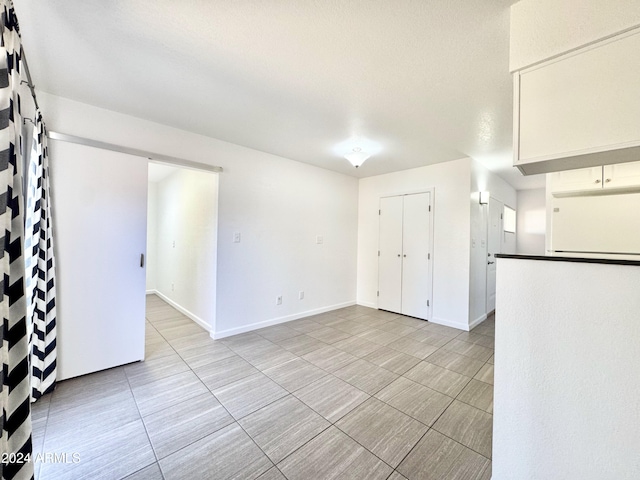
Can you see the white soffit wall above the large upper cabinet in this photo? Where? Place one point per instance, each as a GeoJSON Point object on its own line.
{"type": "Point", "coordinates": [541, 29]}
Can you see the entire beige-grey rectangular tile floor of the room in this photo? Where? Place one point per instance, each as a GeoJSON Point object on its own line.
{"type": "Point", "coordinates": [355, 393]}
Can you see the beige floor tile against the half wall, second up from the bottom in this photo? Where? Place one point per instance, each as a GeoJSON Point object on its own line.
{"type": "Point", "coordinates": [468, 425]}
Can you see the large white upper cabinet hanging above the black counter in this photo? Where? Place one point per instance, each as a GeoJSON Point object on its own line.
{"type": "Point", "coordinates": [581, 109]}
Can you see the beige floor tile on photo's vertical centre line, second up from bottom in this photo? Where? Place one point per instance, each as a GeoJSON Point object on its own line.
{"type": "Point", "coordinates": [331, 397]}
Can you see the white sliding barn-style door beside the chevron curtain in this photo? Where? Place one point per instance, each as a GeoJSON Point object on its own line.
{"type": "Point", "coordinates": [99, 199]}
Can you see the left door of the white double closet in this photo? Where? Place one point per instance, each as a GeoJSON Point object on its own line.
{"type": "Point", "coordinates": [390, 260]}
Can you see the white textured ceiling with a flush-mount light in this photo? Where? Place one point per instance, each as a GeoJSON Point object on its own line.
{"type": "Point", "coordinates": [422, 81]}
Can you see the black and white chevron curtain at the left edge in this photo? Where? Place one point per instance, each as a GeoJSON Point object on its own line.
{"type": "Point", "coordinates": [27, 333]}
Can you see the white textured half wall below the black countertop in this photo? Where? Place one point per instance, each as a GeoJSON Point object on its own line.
{"type": "Point", "coordinates": [567, 371]}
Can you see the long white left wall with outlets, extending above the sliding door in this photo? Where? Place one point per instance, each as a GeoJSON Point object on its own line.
{"type": "Point", "coordinates": [279, 206]}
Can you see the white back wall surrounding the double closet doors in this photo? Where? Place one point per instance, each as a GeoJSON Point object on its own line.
{"type": "Point", "coordinates": [451, 181]}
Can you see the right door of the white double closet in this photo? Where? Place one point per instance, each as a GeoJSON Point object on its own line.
{"type": "Point", "coordinates": [416, 286]}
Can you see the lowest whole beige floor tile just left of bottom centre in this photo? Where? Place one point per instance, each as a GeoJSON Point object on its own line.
{"type": "Point", "coordinates": [283, 426]}
